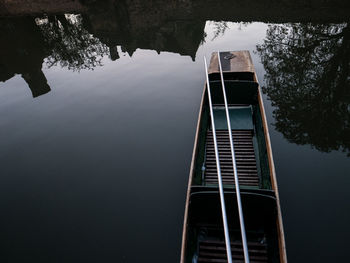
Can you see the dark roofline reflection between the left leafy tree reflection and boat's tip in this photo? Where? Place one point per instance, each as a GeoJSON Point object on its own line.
{"type": "Point", "coordinates": [146, 25]}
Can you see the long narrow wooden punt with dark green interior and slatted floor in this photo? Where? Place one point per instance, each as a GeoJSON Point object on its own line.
{"type": "Point", "coordinates": [203, 234]}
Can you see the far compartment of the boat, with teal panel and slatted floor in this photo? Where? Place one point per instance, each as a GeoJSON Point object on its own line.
{"type": "Point", "coordinates": [248, 136]}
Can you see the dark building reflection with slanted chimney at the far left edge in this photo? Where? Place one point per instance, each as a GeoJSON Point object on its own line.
{"type": "Point", "coordinates": [22, 51]}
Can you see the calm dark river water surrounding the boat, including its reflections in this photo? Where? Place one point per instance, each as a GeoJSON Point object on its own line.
{"type": "Point", "coordinates": [97, 121]}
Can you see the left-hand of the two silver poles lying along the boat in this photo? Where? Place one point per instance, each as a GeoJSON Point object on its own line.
{"type": "Point", "coordinates": [222, 198]}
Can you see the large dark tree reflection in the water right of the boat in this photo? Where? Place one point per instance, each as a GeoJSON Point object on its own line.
{"type": "Point", "coordinates": [308, 81]}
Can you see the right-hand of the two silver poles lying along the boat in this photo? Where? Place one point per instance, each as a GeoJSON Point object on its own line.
{"type": "Point", "coordinates": [238, 193]}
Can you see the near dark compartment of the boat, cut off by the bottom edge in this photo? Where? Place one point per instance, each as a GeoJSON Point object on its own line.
{"type": "Point", "coordinates": [206, 242]}
